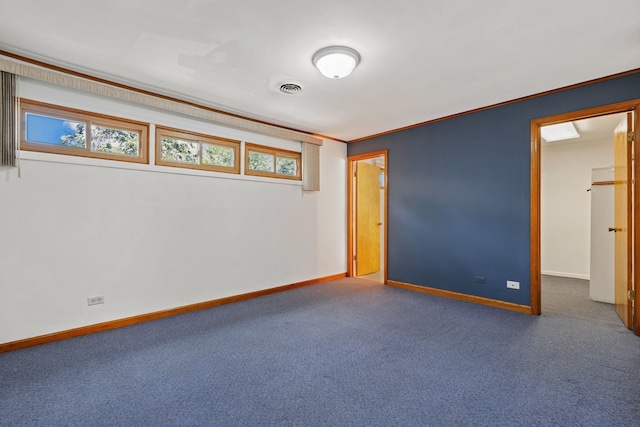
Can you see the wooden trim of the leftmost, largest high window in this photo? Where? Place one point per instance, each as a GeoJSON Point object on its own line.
{"type": "Point", "coordinates": [89, 118]}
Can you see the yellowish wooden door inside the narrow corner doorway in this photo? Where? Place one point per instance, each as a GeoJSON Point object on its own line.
{"type": "Point", "coordinates": [367, 218]}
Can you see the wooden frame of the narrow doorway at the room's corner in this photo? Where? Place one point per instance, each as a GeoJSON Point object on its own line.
{"type": "Point", "coordinates": [351, 217]}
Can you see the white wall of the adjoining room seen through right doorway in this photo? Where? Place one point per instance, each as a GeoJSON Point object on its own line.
{"type": "Point", "coordinates": [566, 204]}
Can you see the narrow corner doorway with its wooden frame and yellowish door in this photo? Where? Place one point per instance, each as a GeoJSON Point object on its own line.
{"type": "Point", "coordinates": [367, 206]}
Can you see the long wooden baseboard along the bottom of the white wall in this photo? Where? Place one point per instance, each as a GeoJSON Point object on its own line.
{"type": "Point", "coordinates": [120, 323]}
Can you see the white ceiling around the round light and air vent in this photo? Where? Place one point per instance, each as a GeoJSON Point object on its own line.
{"type": "Point", "coordinates": [421, 59]}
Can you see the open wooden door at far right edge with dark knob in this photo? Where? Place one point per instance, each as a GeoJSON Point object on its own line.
{"type": "Point", "coordinates": [623, 219]}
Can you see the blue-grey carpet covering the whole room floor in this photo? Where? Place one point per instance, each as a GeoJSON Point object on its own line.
{"type": "Point", "coordinates": [349, 352]}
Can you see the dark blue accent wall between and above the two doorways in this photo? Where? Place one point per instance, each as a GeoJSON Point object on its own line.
{"type": "Point", "coordinates": [459, 192]}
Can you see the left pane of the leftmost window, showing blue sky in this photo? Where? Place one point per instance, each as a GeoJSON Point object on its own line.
{"type": "Point", "coordinates": [49, 130]}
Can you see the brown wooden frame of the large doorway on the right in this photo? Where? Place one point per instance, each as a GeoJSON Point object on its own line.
{"type": "Point", "coordinates": [535, 250]}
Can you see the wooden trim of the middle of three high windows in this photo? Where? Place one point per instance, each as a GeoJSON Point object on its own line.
{"type": "Point", "coordinates": [200, 139]}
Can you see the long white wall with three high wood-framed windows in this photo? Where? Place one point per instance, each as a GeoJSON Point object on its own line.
{"type": "Point", "coordinates": [148, 238]}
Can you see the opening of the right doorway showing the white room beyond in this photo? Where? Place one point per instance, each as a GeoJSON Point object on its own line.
{"type": "Point", "coordinates": [577, 210]}
